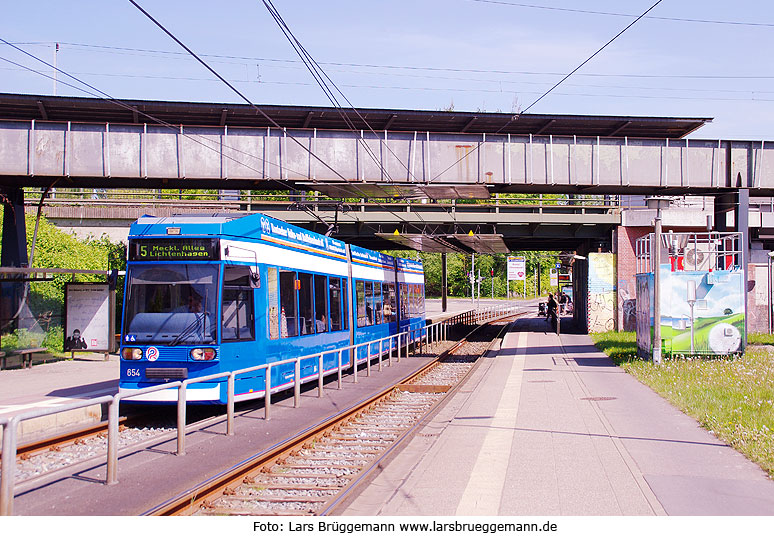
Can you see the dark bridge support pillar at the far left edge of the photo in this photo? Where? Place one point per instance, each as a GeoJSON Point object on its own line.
{"type": "Point", "coordinates": [13, 252]}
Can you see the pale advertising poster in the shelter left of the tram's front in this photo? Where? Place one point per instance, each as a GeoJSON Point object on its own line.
{"type": "Point", "coordinates": [87, 317]}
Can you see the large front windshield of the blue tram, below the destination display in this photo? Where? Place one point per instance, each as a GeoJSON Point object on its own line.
{"type": "Point", "coordinates": [171, 304]}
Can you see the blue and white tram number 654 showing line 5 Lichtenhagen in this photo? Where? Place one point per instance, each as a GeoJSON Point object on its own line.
{"type": "Point", "coordinates": [206, 295]}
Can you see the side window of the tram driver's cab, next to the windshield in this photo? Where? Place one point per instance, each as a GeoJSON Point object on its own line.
{"type": "Point", "coordinates": [237, 309]}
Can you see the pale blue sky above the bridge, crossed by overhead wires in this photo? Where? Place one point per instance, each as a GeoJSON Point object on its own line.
{"type": "Point", "coordinates": [489, 55]}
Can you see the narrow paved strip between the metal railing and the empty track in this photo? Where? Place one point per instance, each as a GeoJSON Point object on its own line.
{"type": "Point", "coordinates": [150, 472]}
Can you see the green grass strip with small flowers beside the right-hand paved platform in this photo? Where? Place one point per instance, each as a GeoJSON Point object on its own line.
{"type": "Point", "coordinates": [732, 397]}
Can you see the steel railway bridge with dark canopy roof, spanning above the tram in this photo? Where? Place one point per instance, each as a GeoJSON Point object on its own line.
{"type": "Point", "coordinates": [387, 178]}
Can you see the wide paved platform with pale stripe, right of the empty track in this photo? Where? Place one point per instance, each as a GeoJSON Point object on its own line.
{"type": "Point", "coordinates": [548, 425]}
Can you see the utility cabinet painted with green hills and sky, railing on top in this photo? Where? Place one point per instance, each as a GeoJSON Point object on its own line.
{"type": "Point", "coordinates": [702, 295]}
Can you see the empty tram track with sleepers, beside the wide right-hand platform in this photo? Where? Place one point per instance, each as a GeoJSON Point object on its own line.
{"type": "Point", "coordinates": [313, 472]}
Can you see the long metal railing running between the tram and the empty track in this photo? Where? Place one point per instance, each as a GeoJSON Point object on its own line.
{"type": "Point", "coordinates": [428, 334]}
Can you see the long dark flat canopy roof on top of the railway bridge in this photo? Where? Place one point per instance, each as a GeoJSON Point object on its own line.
{"type": "Point", "coordinates": [93, 110]}
